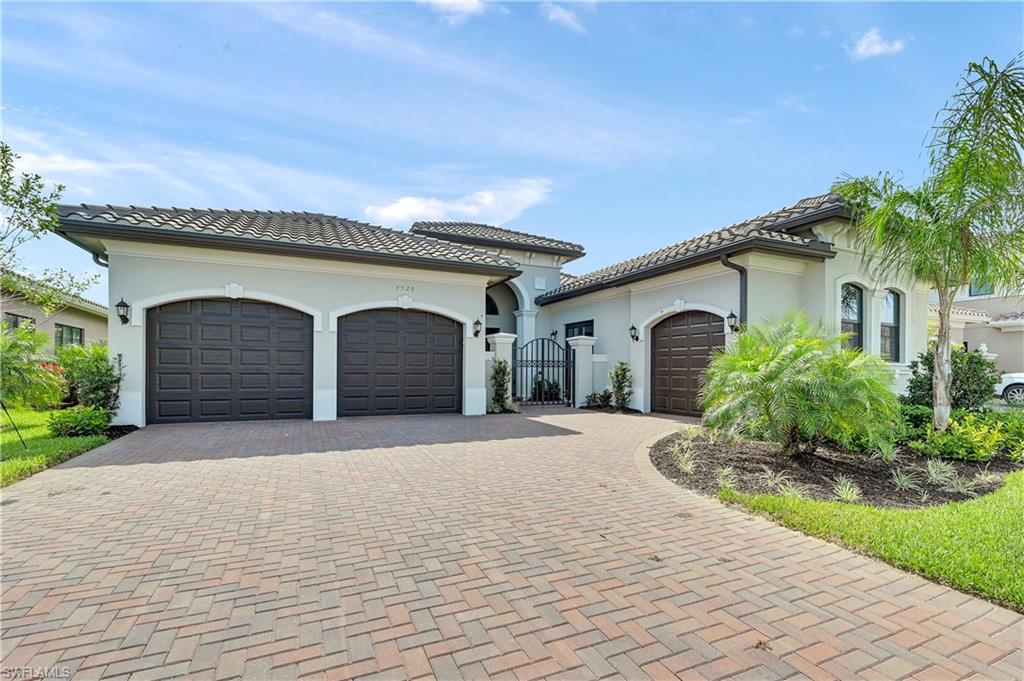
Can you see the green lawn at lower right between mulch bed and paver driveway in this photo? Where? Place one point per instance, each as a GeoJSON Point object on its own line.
{"type": "Point", "coordinates": [976, 546]}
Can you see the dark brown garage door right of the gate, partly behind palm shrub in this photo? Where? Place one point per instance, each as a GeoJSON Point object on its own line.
{"type": "Point", "coordinates": [681, 348]}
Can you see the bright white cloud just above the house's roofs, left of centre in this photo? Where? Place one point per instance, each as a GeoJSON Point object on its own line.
{"type": "Point", "coordinates": [494, 206]}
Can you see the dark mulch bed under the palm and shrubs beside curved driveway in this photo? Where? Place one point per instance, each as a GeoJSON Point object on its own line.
{"type": "Point", "coordinates": [817, 473]}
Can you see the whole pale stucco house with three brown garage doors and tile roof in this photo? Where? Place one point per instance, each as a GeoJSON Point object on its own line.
{"type": "Point", "coordinates": [254, 315]}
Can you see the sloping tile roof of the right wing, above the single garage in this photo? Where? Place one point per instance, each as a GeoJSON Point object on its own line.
{"type": "Point", "coordinates": [767, 229]}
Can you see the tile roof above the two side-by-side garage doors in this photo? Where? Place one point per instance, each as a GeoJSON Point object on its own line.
{"type": "Point", "coordinates": [328, 234]}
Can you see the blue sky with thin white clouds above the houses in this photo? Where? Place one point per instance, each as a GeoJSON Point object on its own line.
{"type": "Point", "coordinates": [625, 127]}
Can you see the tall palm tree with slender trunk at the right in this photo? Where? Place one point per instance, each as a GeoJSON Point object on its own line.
{"type": "Point", "coordinates": [966, 220]}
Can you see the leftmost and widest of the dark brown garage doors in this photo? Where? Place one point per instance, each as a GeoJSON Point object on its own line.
{"type": "Point", "coordinates": [221, 360]}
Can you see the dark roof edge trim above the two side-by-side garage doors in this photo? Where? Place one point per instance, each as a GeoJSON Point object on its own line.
{"type": "Point", "coordinates": [130, 233]}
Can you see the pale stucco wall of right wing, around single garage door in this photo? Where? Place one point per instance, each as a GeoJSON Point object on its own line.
{"type": "Point", "coordinates": [776, 285]}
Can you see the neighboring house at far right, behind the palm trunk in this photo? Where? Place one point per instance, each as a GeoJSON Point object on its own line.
{"type": "Point", "coordinates": [990, 319]}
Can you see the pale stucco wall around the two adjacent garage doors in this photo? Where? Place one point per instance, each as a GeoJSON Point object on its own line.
{"type": "Point", "coordinates": [149, 276]}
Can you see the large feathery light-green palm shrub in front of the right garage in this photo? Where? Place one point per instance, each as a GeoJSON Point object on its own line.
{"type": "Point", "coordinates": [787, 382]}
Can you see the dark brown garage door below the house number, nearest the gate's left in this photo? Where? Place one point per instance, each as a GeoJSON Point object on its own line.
{"type": "Point", "coordinates": [399, 362]}
